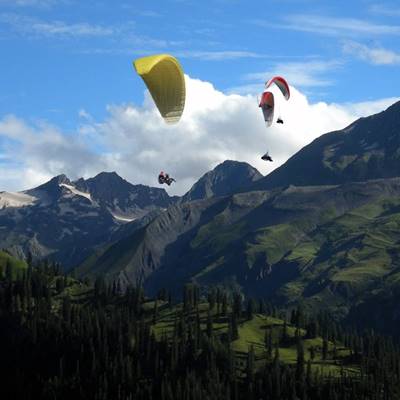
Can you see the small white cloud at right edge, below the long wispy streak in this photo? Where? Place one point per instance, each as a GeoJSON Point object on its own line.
{"type": "Point", "coordinates": [374, 55]}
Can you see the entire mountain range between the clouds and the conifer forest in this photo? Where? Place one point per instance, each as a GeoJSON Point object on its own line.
{"type": "Point", "coordinates": [323, 229]}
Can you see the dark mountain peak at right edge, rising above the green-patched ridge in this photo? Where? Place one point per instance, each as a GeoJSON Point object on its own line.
{"type": "Point", "coordinates": [367, 149]}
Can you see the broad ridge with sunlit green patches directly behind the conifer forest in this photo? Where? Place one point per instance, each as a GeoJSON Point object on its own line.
{"type": "Point", "coordinates": [330, 247]}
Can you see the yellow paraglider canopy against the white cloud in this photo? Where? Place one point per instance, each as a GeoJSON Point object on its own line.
{"type": "Point", "coordinates": [164, 78]}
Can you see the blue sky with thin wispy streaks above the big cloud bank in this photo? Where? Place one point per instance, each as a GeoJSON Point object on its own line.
{"type": "Point", "coordinates": [65, 61]}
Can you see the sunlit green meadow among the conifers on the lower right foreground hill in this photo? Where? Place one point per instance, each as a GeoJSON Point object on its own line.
{"type": "Point", "coordinates": [252, 333]}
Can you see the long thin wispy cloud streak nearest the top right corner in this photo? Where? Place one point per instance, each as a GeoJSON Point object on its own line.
{"type": "Point", "coordinates": [334, 26]}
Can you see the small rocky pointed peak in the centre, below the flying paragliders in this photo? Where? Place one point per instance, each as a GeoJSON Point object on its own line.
{"type": "Point", "coordinates": [225, 179]}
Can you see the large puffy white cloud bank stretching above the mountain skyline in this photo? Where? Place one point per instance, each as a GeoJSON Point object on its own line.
{"type": "Point", "coordinates": [136, 143]}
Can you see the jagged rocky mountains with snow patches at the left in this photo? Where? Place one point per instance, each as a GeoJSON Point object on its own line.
{"type": "Point", "coordinates": [64, 220]}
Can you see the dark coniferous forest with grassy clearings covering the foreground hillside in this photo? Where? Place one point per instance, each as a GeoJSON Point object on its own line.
{"type": "Point", "coordinates": [62, 338]}
